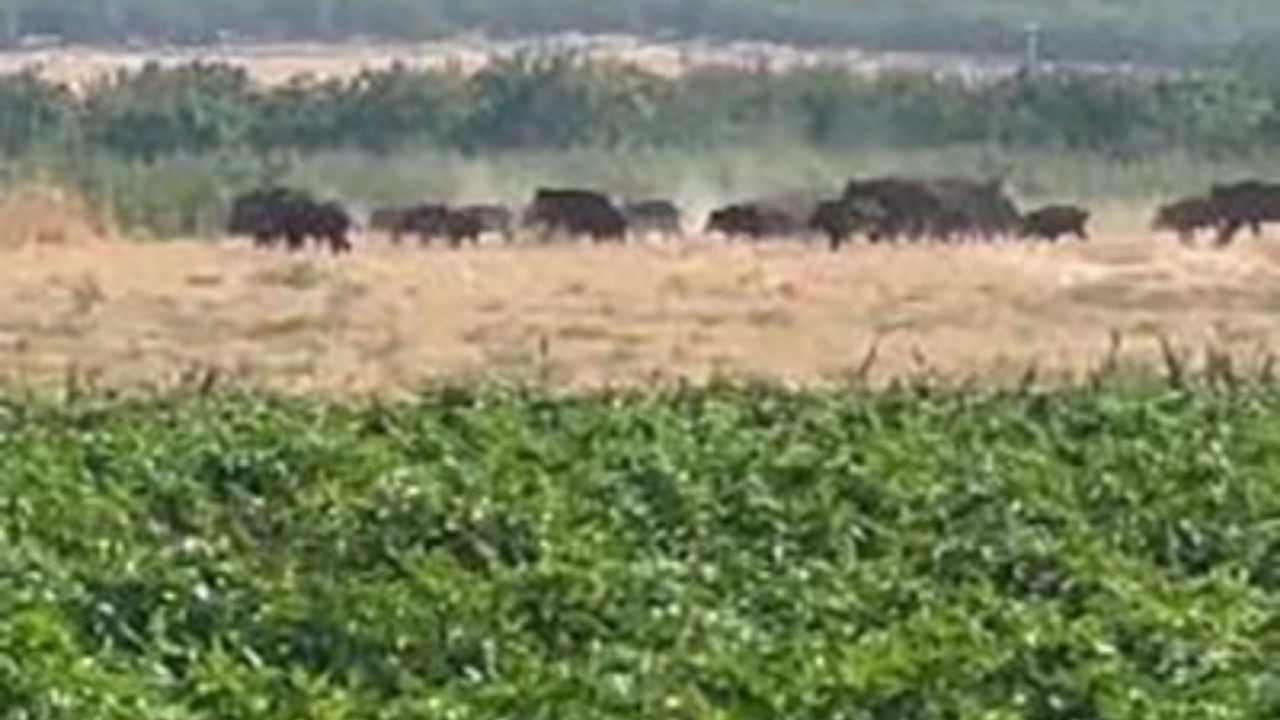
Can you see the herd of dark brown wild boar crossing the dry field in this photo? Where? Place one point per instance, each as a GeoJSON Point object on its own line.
{"type": "Point", "coordinates": [947, 211]}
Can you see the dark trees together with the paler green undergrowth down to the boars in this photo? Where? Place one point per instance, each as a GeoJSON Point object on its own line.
{"type": "Point", "coordinates": [166, 149]}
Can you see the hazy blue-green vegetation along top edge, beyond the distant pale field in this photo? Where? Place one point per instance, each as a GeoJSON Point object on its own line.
{"type": "Point", "coordinates": [1164, 31]}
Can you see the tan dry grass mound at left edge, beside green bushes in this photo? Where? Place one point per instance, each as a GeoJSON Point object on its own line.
{"type": "Point", "coordinates": [44, 215]}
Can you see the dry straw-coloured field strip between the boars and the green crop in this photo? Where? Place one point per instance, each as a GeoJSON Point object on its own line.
{"type": "Point", "coordinates": [118, 312]}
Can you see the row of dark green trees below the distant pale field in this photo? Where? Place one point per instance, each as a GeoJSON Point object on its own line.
{"type": "Point", "coordinates": [561, 104]}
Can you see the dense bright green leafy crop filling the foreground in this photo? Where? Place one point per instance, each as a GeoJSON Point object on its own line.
{"type": "Point", "coordinates": [721, 553]}
